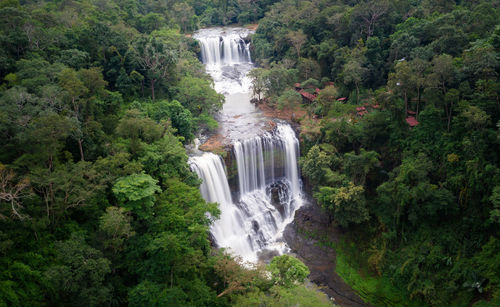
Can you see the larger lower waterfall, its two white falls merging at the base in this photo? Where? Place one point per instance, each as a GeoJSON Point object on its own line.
{"type": "Point", "coordinates": [269, 191]}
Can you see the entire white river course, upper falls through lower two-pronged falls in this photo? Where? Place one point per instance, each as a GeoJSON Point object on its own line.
{"type": "Point", "coordinates": [259, 201]}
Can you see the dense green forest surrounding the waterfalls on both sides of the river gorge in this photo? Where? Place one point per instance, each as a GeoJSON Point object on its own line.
{"type": "Point", "coordinates": [400, 148]}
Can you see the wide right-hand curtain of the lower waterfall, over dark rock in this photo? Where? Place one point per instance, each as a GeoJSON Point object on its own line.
{"type": "Point", "coordinates": [267, 165]}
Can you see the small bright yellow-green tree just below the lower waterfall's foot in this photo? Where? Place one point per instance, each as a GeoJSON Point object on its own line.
{"type": "Point", "coordinates": [287, 271]}
